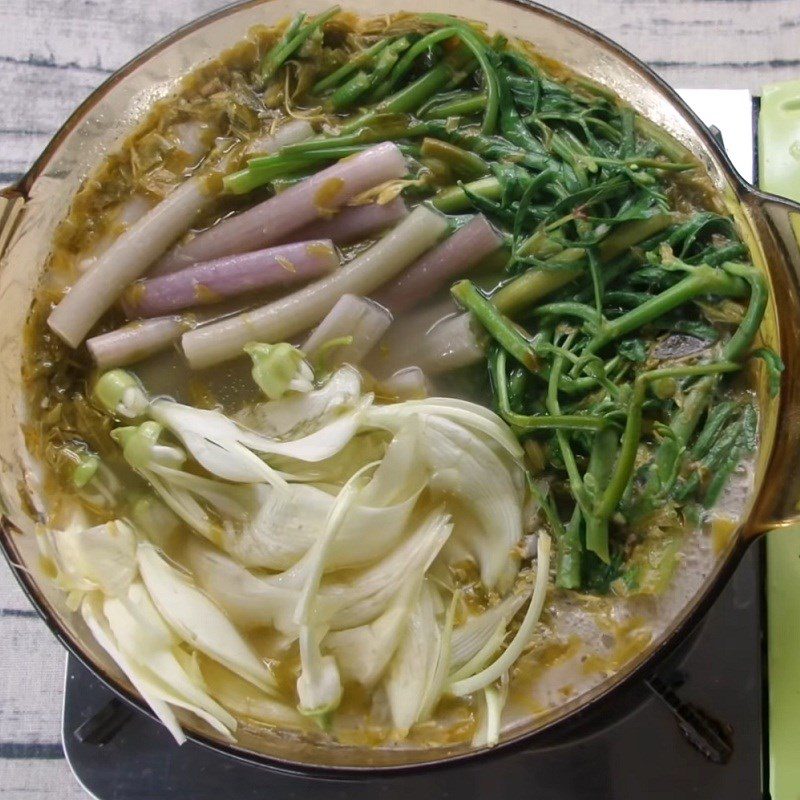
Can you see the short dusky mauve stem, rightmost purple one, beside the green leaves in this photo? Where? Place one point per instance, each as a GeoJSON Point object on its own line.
{"type": "Point", "coordinates": [462, 251]}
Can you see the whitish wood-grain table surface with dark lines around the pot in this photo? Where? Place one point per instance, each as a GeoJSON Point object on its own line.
{"type": "Point", "coordinates": [53, 53]}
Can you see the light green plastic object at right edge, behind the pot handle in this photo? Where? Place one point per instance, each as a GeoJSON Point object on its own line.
{"type": "Point", "coordinates": [779, 163]}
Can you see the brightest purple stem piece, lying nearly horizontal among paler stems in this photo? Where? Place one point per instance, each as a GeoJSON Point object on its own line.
{"type": "Point", "coordinates": [230, 276]}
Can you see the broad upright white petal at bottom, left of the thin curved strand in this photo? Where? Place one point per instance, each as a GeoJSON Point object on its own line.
{"type": "Point", "coordinates": [413, 666]}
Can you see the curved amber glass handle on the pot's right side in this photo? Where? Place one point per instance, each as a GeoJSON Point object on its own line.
{"type": "Point", "coordinates": [777, 505]}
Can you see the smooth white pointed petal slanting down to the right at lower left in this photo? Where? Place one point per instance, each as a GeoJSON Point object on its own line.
{"type": "Point", "coordinates": [198, 620]}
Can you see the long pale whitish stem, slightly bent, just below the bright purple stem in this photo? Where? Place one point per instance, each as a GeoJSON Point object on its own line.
{"type": "Point", "coordinates": [299, 311]}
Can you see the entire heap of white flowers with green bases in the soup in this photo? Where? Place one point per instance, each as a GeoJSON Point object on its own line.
{"type": "Point", "coordinates": [349, 553]}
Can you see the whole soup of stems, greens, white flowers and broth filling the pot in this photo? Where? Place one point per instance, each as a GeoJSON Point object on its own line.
{"type": "Point", "coordinates": [389, 383]}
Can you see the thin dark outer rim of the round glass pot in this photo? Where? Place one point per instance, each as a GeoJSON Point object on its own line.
{"type": "Point", "coordinates": [691, 617]}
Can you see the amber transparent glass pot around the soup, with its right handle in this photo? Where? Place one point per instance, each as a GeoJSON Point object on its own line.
{"type": "Point", "coordinates": [31, 210]}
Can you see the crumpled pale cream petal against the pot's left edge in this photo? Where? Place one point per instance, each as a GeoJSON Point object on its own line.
{"type": "Point", "coordinates": [101, 558]}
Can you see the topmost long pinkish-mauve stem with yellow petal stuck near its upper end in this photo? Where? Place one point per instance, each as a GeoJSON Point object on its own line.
{"type": "Point", "coordinates": [318, 196]}
